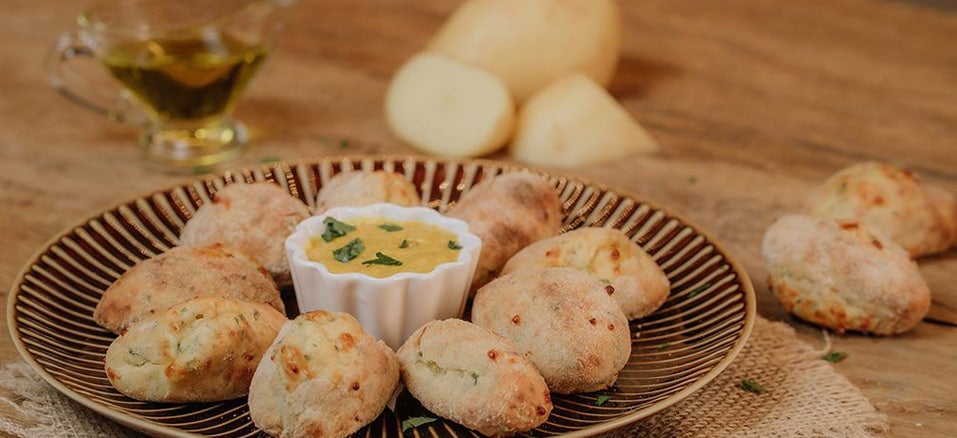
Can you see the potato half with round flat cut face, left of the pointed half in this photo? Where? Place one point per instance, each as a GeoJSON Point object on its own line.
{"type": "Point", "coordinates": [446, 107]}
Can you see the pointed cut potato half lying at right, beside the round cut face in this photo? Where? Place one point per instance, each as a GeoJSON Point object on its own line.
{"type": "Point", "coordinates": [575, 122]}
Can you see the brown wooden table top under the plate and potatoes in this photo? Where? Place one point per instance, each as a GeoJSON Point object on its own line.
{"type": "Point", "coordinates": [755, 102]}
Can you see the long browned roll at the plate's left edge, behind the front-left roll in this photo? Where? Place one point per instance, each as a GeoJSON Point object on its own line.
{"type": "Point", "coordinates": [180, 274]}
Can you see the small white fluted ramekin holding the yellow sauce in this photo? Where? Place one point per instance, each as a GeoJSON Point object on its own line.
{"type": "Point", "coordinates": [389, 308]}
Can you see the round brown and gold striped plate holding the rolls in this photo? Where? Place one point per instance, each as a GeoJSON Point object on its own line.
{"type": "Point", "coordinates": [677, 350]}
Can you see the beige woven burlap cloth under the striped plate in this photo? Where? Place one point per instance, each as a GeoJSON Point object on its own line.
{"type": "Point", "coordinates": [805, 397]}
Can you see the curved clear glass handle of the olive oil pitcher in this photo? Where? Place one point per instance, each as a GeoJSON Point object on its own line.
{"type": "Point", "coordinates": [67, 48]}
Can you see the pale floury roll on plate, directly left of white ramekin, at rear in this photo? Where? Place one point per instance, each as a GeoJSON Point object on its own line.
{"type": "Point", "coordinates": [252, 218]}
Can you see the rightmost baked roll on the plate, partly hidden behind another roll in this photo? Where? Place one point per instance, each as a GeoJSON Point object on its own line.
{"type": "Point", "coordinates": [641, 287]}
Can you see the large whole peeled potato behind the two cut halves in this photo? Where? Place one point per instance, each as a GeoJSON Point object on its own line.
{"type": "Point", "coordinates": [530, 43]}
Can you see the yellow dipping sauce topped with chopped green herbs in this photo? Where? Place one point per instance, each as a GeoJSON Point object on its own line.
{"type": "Point", "coordinates": [381, 247]}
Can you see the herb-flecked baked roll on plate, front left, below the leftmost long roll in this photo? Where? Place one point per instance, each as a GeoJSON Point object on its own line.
{"type": "Point", "coordinates": [201, 350]}
